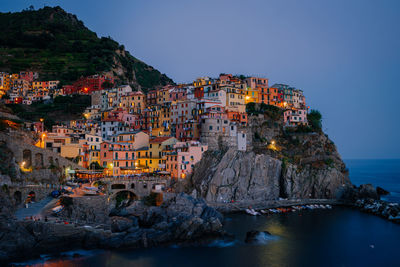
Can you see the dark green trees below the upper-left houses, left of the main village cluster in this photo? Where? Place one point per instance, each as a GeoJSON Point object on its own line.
{"type": "Point", "coordinates": [63, 108]}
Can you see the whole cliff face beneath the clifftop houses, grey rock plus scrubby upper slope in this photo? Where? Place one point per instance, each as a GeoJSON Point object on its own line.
{"type": "Point", "coordinates": [300, 165]}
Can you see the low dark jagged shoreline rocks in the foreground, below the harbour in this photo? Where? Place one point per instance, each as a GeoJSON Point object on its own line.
{"type": "Point", "coordinates": [182, 219]}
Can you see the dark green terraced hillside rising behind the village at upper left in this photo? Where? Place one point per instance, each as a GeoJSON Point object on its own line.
{"type": "Point", "coordinates": [59, 46]}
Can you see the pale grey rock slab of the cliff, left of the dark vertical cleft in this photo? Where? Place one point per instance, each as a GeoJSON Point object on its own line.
{"type": "Point", "coordinates": [238, 176]}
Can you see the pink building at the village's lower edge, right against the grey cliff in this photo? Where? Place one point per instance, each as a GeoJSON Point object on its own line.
{"type": "Point", "coordinates": [181, 161]}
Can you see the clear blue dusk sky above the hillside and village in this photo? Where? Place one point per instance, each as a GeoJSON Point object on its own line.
{"type": "Point", "coordinates": [344, 55]}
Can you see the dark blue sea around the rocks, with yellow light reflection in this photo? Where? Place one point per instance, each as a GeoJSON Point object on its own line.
{"type": "Point", "coordinates": [337, 237]}
